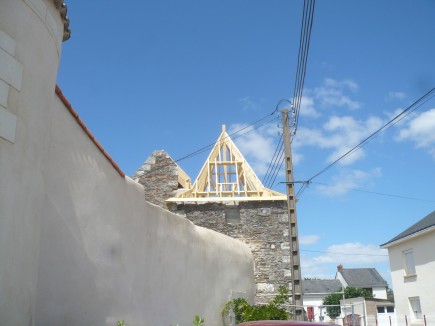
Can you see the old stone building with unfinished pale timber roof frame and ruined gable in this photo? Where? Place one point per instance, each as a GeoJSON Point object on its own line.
{"type": "Point", "coordinates": [229, 198]}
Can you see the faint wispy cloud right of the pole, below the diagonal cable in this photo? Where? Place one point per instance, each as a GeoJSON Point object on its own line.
{"type": "Point", "coordinates": [348, 180]}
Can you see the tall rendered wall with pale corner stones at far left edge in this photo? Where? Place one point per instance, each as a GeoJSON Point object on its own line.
{"type": "Point", "coordinates": [29, 57]}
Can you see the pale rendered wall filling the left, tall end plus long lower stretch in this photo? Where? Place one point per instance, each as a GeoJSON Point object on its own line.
{"type": "Point", "coordinates": [78, 243]}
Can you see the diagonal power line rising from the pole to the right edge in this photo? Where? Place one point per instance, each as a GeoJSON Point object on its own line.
{"type": "Point", "coordinates": [414, 106]}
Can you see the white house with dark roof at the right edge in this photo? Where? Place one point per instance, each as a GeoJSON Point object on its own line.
{"type": "Point", "coordinates": [412, 264]}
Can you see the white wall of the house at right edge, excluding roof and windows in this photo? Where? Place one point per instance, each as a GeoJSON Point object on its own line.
{"type": "Point", "coordinates": [419, 285]}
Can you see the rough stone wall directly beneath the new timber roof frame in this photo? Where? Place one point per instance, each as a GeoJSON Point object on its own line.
{"type": "Point", "coordinates": [263, 226]}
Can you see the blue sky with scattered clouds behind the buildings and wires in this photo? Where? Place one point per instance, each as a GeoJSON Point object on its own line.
{"type": "Point", "coordinates": [167, 74]}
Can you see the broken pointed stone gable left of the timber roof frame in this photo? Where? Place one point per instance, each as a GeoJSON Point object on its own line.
{"type": "Point", "coordinates": [159, 177]}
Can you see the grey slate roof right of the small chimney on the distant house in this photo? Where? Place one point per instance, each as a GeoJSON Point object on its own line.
{"type": "Point", "coordinates": [362, 277]}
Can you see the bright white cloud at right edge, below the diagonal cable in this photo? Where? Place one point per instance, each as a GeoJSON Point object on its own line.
{"type": "Point", "coordinates": [421, 130]}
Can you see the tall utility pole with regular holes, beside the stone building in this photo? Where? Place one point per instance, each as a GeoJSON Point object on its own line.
{"type": "Point", "coordinates": [295, 269]}
